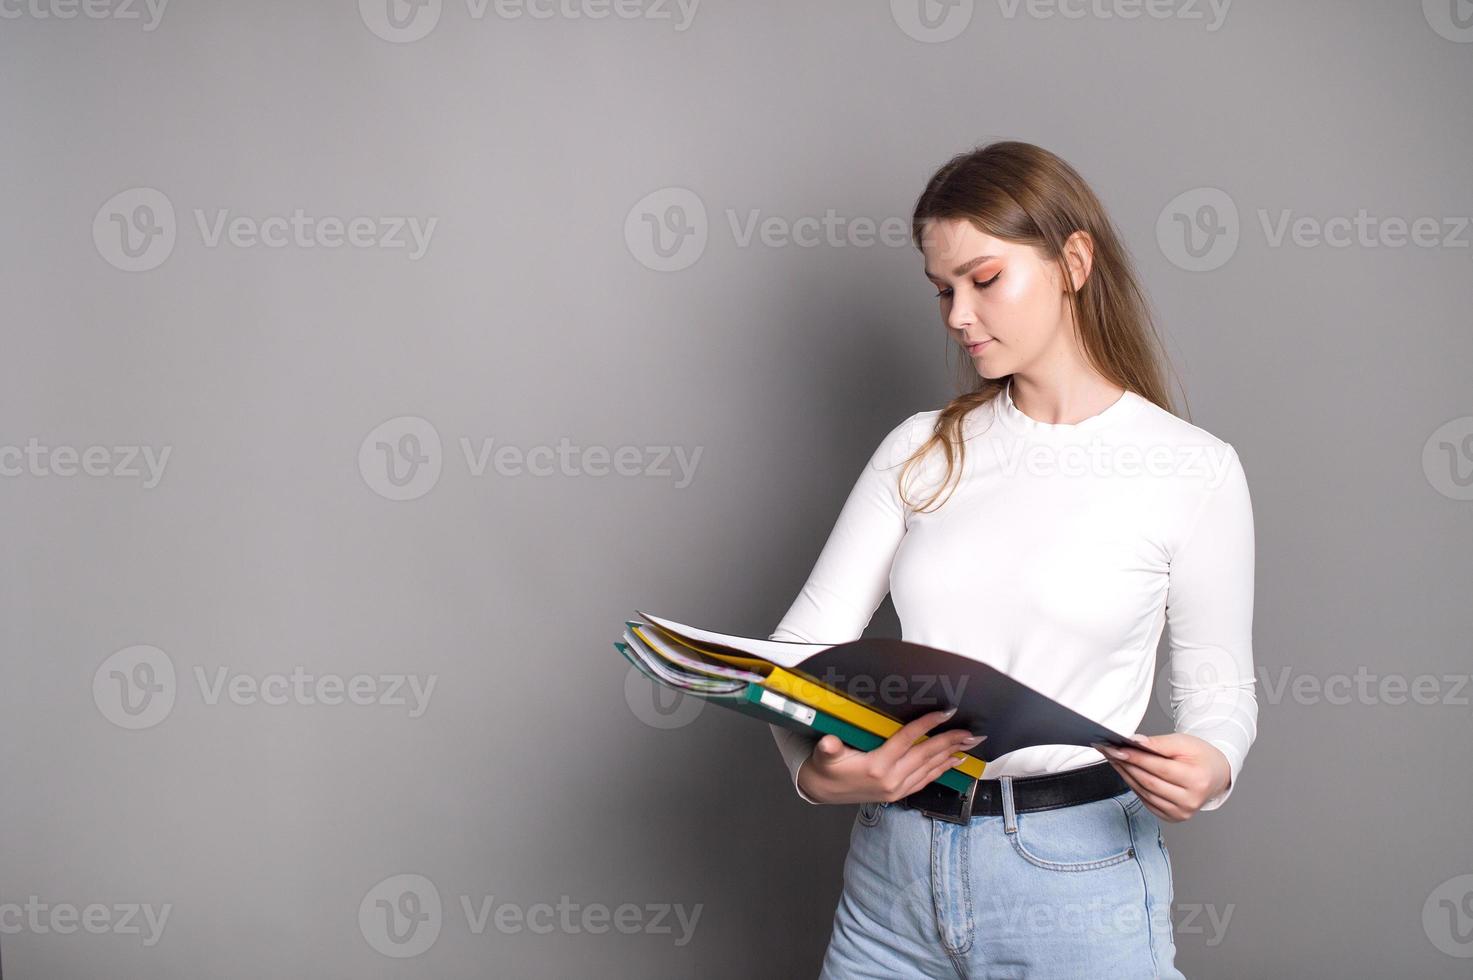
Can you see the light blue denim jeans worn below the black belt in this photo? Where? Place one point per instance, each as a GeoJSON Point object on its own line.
{"type": "Point", "coordinates": [1075, 892]}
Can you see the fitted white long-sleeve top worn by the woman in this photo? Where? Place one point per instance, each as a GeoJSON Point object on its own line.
{"type": "Point", "coordinates": [1060, 558]}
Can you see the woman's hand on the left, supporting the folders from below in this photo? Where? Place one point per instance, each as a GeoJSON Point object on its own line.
{"type": "Point", "coordinates": [836, 773]}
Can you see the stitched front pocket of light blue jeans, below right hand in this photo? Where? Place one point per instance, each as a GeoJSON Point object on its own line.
{"type": "Point", "coordinates": [1080, 838]}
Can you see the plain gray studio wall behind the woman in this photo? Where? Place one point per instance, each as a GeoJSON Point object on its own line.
{"type": "Point", "coordinates": [538, 312]}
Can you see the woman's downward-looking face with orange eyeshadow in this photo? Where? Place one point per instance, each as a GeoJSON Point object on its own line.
{"type": "Point", "coordinates": [1002, 303]}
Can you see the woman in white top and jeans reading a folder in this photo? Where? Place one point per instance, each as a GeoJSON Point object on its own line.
{"type": "Point", "coordinates": [1072, 518]}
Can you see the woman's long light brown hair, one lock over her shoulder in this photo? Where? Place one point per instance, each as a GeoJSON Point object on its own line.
{"type": "Point", "coordinates": [1023, 194]}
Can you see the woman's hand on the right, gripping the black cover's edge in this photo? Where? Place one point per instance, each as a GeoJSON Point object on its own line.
{"type": "Point", "coordinates": [1175, 785]}
